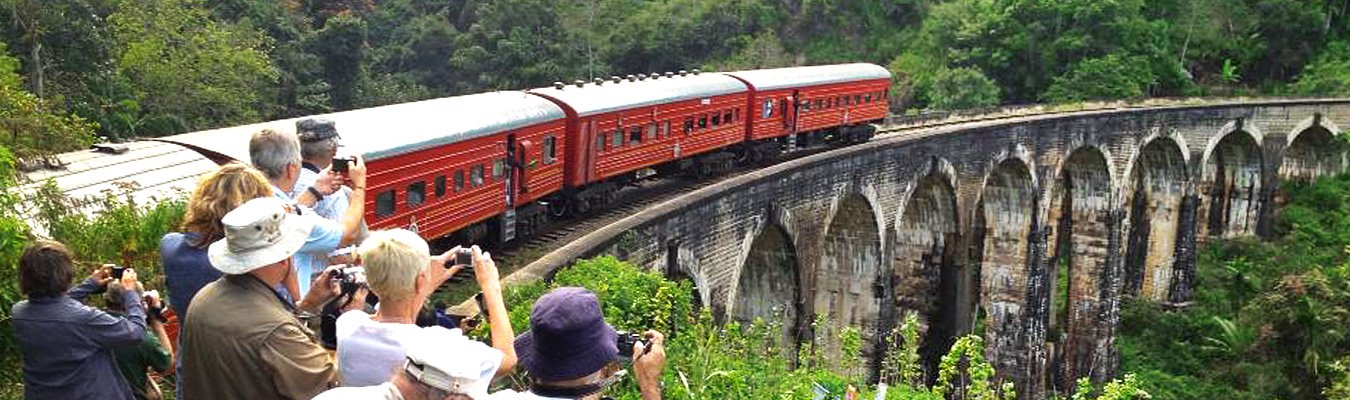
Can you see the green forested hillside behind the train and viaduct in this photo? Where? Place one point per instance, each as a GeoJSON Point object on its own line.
{"type": "Point", "coordinates": [125, 70]}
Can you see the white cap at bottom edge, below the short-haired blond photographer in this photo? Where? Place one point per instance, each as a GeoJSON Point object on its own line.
{"type": "Point", "coordinates": [449, 361]}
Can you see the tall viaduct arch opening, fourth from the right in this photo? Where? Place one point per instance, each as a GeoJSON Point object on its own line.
{"type": "Point", "coordinates": [1079, 255]}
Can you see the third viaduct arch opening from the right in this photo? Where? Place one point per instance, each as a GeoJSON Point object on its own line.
{"type": "Point", "coordinates": [1156, 189]}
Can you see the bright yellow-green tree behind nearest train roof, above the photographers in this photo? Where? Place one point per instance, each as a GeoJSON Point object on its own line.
{"type": "Point", "coordinates": [186, 67]}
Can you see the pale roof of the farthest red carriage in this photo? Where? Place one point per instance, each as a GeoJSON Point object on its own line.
{"type": "Point", "coordinates": [811, 76]}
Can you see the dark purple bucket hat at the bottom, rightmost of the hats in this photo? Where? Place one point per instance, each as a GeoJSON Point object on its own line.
{"type": "Point", "coordinates": [568, 337]}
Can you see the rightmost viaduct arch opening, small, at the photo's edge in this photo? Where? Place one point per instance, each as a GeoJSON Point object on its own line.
{"type": "Point", "coordinates": [1313, 152]}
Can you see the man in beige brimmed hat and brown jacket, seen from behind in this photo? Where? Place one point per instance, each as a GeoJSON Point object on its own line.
{"type": "Point", "coordinates": [244, 341]}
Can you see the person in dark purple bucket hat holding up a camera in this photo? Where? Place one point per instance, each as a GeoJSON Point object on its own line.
{"type": "Point", "coordinates": [572, 353]}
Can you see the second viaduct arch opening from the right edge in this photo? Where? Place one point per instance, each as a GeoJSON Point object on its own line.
{"type": "Point", "coordinates": [1232, 183]}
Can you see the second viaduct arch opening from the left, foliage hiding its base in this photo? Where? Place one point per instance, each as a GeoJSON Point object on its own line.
{"type": "Point", "coordinates": [769, 284]}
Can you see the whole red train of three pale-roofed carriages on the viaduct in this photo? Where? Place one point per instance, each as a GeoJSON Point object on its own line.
{"type": "Point", "coordinates": [487, 166]}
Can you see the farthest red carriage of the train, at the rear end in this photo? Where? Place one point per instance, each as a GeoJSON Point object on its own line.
{"type": "Point", "coordinates": [831, 99]}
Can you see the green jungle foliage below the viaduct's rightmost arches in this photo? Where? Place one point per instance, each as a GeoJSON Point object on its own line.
{"type": "Point", "coordinates": [1270, 318]}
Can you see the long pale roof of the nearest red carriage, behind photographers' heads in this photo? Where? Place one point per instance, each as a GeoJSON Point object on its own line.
{"type": "Point", "coordinates": [392, 130]}
